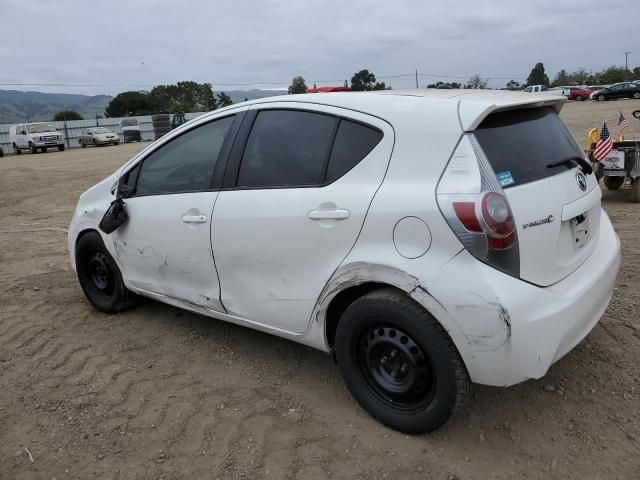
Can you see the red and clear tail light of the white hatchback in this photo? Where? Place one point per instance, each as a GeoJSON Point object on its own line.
{"type": "Point", "coordinates": [476, 209]}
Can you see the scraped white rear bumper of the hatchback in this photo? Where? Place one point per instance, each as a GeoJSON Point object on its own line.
{"type": "Point", "coordinates": [508, 330]}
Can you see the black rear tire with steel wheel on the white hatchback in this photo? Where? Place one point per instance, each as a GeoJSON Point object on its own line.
{"type": "Point", "coordinates": [428, 381]}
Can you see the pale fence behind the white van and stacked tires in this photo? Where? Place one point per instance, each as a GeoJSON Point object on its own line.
{"type": "Point", "coordinates": [71, 130]}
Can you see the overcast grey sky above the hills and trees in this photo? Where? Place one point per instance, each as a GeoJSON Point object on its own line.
{"type": "Point", "coordinates": [113, 46]}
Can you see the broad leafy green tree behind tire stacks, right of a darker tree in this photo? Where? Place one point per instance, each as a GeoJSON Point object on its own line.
{"type": "Point", "coordinates": [183, 97]}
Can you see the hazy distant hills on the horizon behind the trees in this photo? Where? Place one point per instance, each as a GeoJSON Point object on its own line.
{"type": "Point", "coordinates": [16, 106]}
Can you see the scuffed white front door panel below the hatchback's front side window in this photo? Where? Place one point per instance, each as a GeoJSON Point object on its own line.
{"type": "Point", "coordinates": [161, 253]}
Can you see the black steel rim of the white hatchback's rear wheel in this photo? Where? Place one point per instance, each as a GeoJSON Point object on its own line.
{"type": "Point", "coordinates": [396, 368]}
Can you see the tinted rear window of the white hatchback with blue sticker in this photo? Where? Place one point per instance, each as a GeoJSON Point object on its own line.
{"type": "Point", "coordinates": [520, 144]}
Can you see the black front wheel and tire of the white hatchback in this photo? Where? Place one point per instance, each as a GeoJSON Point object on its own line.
{"type": "Point", "coordinates": [100, 277]}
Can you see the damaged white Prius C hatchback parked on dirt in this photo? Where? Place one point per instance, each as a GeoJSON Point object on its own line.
{"type": "Point", "coordinates": [428, 239]}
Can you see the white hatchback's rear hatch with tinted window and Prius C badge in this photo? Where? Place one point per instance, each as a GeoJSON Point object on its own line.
{"type": "Point", "coordinates": [556, 207]}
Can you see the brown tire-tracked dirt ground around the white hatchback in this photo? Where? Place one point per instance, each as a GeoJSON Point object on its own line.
{"type": "Point", "coordinates": [161, 393]}
